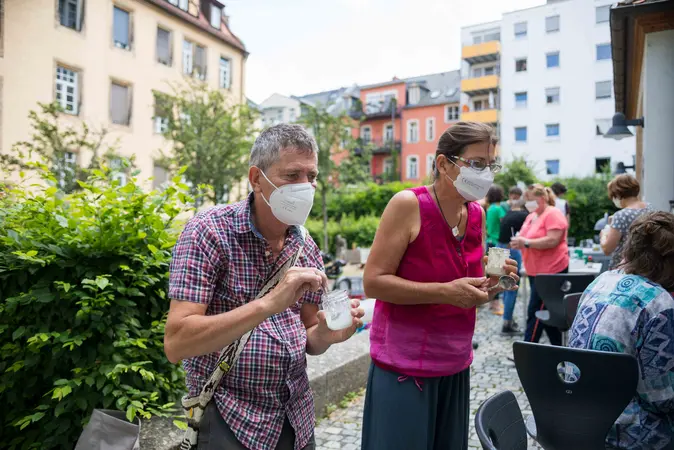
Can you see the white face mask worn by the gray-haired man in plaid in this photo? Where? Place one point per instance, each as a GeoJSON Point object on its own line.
{"type": "Point", "coordinates": [291, 203]}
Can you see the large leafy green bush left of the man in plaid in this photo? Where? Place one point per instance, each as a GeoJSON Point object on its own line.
{"type": "Point", "coordinates": [83, 282]}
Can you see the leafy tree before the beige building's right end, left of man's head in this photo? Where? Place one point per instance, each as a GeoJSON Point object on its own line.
{"type": "Point", "coordinates": [210, 135]}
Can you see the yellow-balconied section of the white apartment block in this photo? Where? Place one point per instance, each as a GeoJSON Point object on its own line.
{"type": "Point", "coordinates": [480, 70]}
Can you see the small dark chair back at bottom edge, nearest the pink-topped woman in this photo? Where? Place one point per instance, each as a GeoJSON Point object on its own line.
{"type": "Point", "coordinates": [499, 423]}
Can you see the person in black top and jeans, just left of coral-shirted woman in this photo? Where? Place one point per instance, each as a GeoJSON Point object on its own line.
{"type": "Point", "coordinates": [510, 225]}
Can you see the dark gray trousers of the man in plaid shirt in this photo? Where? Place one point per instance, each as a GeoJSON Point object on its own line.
{"type": "Point", "coordinates": [215, 434]}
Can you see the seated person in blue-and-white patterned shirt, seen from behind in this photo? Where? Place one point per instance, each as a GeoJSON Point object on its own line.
{"type": "Point", "coordinates": [630, 310]}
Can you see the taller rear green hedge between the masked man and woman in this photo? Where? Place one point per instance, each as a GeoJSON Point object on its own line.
{"type": "Point", "coordinates": [366, 200]}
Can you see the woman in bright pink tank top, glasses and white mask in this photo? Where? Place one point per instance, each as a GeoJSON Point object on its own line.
{"type": "Point", "coordinates": [426, 270]}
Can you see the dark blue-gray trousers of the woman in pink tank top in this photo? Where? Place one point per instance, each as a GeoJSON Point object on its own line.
{"type": "Point", "coordinates": [403, 413]}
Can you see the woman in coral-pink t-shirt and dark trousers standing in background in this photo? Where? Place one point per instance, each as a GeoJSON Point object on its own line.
{"type": "Point", "coordinates": [542, 240]}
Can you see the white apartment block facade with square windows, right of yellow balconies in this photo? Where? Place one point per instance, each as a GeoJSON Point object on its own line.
{"type": "Point", "coordinates": [557, 89]}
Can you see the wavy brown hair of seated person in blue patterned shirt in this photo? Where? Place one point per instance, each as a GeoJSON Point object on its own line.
{"type": "Point", "coordinates": [649, 250]}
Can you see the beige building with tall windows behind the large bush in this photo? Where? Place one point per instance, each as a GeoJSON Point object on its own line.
{"type": "Point", "coordinates": [104, 60]}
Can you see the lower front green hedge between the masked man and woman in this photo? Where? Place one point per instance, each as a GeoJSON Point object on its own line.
{"type": "Point", "coordinates": [359, 231]}
